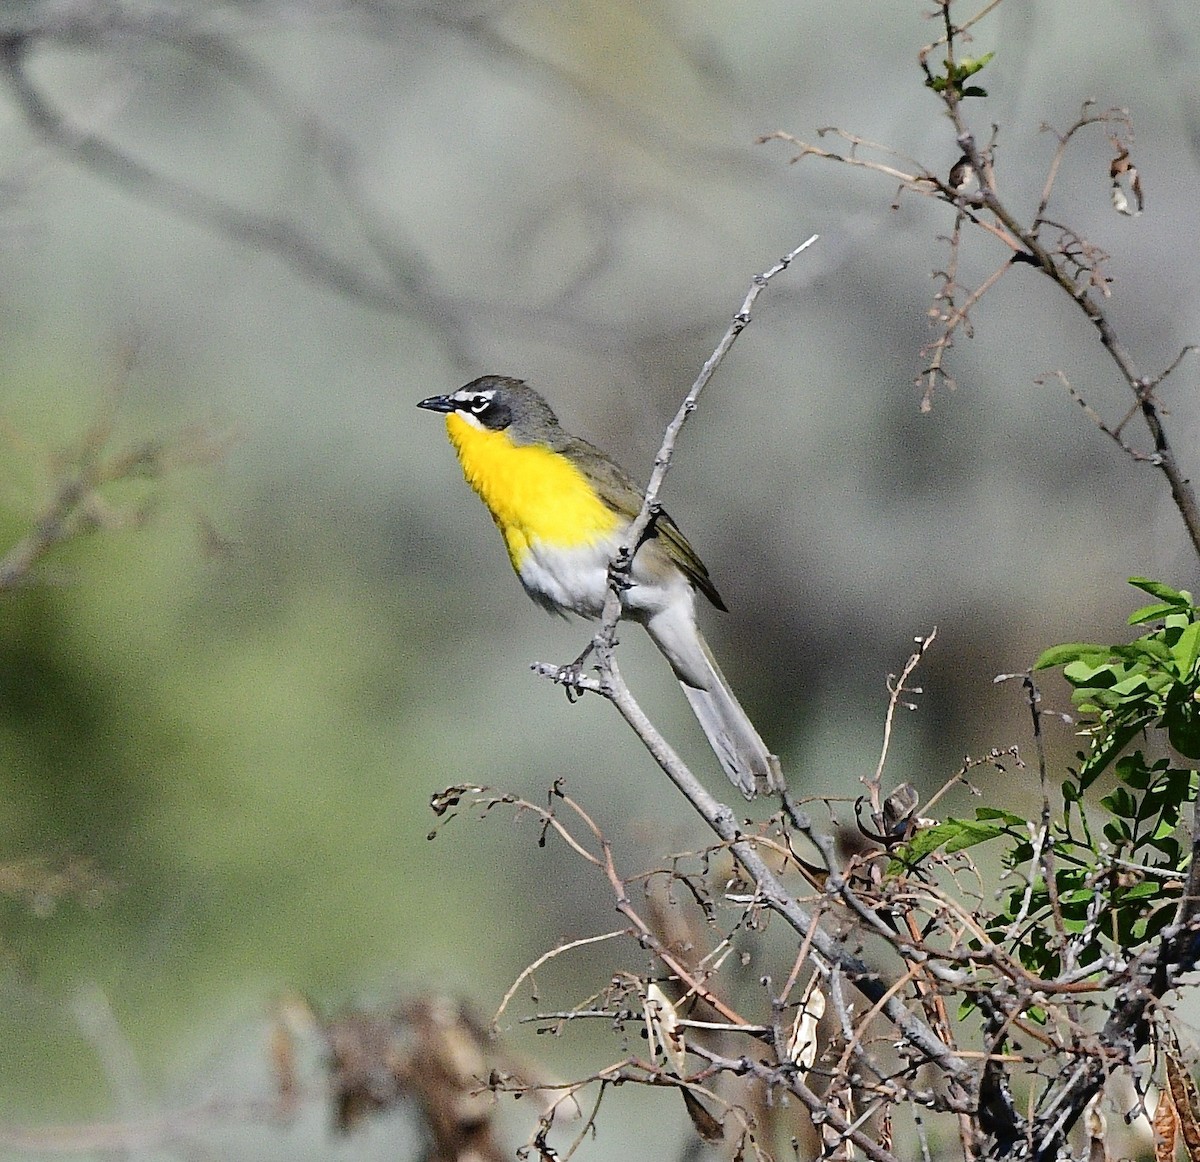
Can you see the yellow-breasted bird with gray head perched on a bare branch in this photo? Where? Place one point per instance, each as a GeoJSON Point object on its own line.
{"type": "Point", "coordinates": [563, 508]}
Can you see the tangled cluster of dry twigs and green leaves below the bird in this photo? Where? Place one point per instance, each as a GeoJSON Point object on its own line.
{"type": "Point", "coordinates": [910, 984]}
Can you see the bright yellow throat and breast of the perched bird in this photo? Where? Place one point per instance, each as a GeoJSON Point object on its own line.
{"type": "Point", "coordinates": [533, 494]}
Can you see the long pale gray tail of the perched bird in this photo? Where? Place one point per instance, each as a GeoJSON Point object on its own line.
{"type": "Point", "coordinates": [745, 757]}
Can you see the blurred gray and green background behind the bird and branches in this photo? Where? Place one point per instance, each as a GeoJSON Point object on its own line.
{"type": "Point", "coordinates": [243, 742]}
